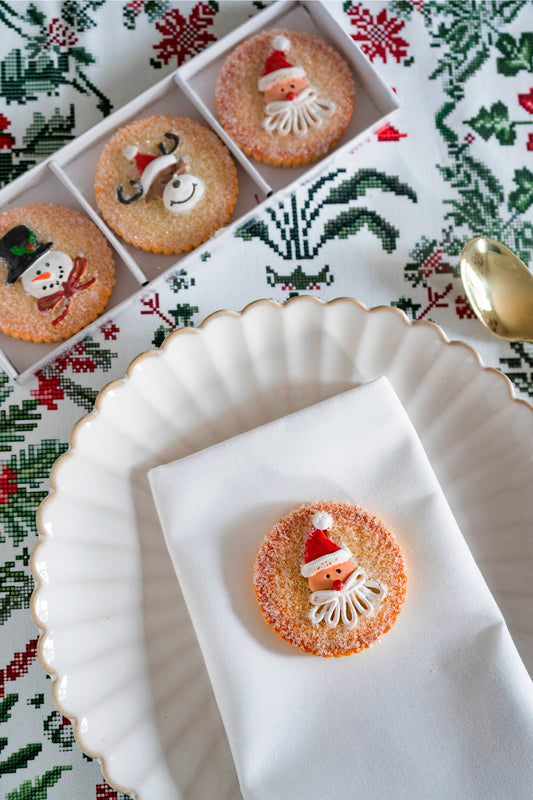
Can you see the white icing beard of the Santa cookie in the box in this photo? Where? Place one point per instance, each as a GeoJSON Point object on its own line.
{"type": "Point", "coordinates": [307, 110]}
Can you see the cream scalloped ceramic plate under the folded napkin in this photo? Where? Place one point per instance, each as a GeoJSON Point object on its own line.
{"type": "Point", "coordinates": [116, 635]}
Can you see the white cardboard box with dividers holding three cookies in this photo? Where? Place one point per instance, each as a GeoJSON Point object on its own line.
{"type": "Point", "coordinates": [67, 177]}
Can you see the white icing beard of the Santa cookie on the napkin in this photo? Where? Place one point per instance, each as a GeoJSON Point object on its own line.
{"type": "Point", "coordinates": [355, 600]}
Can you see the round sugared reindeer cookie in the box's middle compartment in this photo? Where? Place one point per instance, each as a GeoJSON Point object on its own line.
{"type": "Point", "coordinates": [165, 184]}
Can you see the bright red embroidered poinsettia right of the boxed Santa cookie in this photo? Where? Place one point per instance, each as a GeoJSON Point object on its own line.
{"type": "Point", "coordinates": [378, 36]}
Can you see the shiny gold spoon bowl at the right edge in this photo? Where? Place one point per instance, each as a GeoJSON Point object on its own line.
{"type": "Point", "coordinates": [499, 287]}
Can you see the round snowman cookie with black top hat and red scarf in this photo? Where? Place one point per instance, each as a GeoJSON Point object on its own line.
{"type": "Point", "coordinates": [56, 272]}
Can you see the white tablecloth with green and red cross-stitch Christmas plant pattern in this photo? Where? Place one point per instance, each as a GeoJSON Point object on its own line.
{"type": "Point", "coordinates": [455, 161]}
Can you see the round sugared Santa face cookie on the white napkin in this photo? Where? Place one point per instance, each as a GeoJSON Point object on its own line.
{"type": "Point", "coordinates": [330, 579]}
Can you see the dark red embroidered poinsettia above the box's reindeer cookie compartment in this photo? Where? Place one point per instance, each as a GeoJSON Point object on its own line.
{"type": "Point", "coordinates": [184, 38]}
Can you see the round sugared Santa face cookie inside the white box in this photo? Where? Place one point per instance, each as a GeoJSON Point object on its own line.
{"type": "Point", "coordinates": [285, 97]}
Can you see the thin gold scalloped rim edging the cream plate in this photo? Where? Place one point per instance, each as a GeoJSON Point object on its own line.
{"type": "Point", "coordinates": [117, 383]}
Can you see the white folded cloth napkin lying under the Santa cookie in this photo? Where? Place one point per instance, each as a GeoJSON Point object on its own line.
{"type": "Point", "coordinates": [441, 707]}
